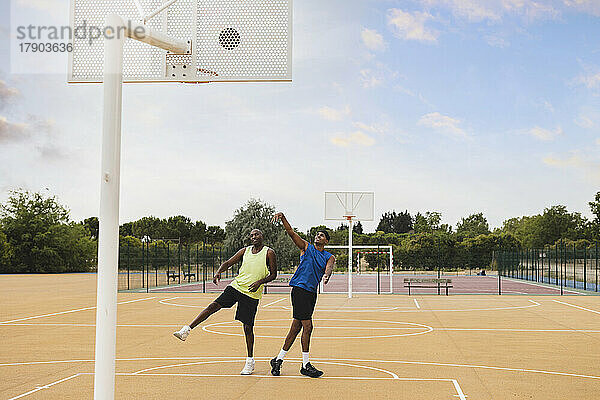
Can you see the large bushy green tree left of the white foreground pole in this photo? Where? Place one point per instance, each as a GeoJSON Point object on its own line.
{"type": "Point", "coordinates": [41, 238]}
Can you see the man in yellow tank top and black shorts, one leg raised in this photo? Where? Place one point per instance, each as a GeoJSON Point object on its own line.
{"type": "Point", "coordinates": [259, 266]}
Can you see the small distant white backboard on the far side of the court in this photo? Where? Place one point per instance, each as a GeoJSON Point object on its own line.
{"type": "Point", "coordinates": [341, 205]}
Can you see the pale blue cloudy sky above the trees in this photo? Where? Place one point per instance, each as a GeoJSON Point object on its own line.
{"type": "Point", "coordinates": [454, 106]}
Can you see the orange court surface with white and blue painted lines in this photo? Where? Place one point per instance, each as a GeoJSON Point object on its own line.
{"type": "Point", "coordinates": [467, 347]}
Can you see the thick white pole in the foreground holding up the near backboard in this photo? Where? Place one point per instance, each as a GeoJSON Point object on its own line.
{"type": "Point", "coordinates": [108, 236]}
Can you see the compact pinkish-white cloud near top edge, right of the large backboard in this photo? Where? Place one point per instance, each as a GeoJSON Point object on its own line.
{"type": "Point", "coordinates": [409, 26]}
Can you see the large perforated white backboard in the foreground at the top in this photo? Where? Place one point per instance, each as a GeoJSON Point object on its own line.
{"type": "Point", "coordinates": [231, 40]}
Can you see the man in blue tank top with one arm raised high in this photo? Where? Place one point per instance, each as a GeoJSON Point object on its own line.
{"type": "Point", "coordinates": [314, 263]}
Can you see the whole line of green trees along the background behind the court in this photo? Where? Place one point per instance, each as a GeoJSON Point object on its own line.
{"type": "Point", "coordinates": [38, 236]}
